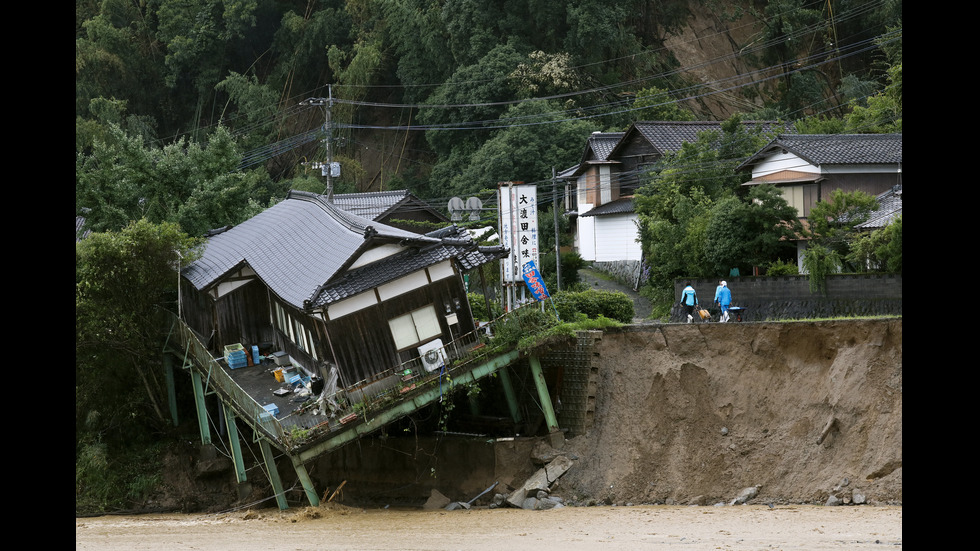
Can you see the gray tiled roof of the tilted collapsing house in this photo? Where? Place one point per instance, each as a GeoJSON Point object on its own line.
{"type": "Point", "coordinates": [303, 245]}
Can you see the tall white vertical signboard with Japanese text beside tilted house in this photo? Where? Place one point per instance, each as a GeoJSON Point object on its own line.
{"type": "Point", "coordinates": [518, 227]}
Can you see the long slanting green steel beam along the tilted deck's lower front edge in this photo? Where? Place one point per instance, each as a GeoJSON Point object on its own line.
{"type": "Point", "coordinates": [402, 409]}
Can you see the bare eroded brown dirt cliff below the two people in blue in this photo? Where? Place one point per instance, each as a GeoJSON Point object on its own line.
{"type": "Point", "coordinates": [695, 413]}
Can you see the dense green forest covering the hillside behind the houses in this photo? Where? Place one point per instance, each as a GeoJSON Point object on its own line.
{"type": "Point", "coordinates": [442, 97]}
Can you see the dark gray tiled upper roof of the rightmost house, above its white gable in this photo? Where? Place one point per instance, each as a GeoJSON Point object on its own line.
{"type": "Point", "coordinates": [835, 149]}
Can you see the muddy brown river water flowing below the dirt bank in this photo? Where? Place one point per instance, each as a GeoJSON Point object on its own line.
{"type": "Point", "coordinates": [570, 528]}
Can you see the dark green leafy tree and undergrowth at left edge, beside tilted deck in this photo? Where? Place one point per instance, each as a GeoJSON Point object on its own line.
{"type": "Point", "coordinates": [123, 282]}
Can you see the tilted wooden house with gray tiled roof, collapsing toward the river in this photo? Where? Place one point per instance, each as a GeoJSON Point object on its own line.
{"type": "Point", "coordinates": [346, 298]}
